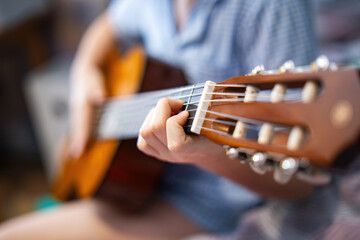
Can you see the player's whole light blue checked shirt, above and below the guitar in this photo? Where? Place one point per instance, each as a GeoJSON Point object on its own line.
{"type": "Point", "coordinates": [221, 39]}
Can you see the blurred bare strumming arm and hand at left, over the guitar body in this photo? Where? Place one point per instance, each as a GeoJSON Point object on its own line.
{"type": "Point", "coordinates": [87, 81]}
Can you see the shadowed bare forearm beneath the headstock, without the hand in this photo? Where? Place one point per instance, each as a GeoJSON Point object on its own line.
{"type": "Point", "coordinates": [245, 176]}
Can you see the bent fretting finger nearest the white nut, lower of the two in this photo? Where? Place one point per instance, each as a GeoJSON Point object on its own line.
{"type": "Point", "coordinates": [176, 136]}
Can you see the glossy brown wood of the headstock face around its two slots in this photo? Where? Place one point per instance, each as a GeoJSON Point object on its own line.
{"type": "Point", "coordinates": [324, 140]}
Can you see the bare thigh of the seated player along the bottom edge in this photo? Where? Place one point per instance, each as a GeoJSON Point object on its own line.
{"type": "Point", "coordinates": [94, 219]}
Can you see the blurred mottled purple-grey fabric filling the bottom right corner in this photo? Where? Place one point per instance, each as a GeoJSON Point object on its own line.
{"type": "Point", "coordinates": [331, 213]}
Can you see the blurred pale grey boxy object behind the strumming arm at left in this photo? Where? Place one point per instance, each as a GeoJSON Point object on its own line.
{"type": "Point", "coordinates": [47, 92]}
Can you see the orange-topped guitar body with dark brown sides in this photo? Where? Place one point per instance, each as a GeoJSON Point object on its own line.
{"type": "Point", "coordinates": [115, 169]}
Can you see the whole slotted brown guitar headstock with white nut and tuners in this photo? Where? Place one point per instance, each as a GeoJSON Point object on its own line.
{"type": "Point", "coordinates": [286, 120]}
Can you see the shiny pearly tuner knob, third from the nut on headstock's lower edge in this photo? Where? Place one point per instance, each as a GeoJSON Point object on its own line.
{"type": "Point", "coordinates": [287, 167]}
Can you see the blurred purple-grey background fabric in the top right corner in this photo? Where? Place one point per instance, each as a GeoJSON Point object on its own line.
{"type": "Point", "coordinates": [338, 34]}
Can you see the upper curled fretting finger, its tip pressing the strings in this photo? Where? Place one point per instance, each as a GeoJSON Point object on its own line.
{"type": "Point", "coordinates": [163, 111]}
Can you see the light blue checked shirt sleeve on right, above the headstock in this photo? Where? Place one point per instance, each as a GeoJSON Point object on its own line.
{"type": "Point", "coordinates": [272, 32]}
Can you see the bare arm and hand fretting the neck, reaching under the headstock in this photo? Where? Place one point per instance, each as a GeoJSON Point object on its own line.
{"type": "Point", "coordinates": [162, 136]}
